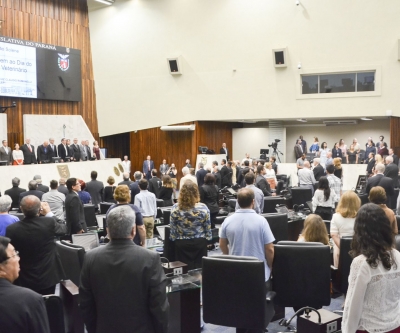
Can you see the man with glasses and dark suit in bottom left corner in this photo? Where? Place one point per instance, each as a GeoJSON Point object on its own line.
{"type": "Point", "coordinates": [22, 310]}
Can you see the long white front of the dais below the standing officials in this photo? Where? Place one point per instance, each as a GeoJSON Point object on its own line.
{"type": "Point", "coordinates": [81, 170]}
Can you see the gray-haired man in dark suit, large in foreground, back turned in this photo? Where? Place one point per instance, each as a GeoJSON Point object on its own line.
{"type": "Point", "coordinates": [106, 298]}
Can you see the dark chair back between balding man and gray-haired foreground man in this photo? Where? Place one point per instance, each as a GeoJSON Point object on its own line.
{"type": "Point", "coordinates": [71, 259]}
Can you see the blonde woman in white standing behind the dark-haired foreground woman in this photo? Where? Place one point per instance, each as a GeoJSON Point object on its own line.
{"type": "Point", "coordinates": [342, 223]}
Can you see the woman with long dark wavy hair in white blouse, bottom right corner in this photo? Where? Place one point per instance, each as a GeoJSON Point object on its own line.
{"type": "Point", "coordinates": [373, 297]}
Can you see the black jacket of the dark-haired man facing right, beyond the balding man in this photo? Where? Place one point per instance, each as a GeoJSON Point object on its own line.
{"type": "Point", "coordinates": [74, 213]}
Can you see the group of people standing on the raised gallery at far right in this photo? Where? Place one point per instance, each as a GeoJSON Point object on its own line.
{"type": "Point", "coordinates": [347, 154]}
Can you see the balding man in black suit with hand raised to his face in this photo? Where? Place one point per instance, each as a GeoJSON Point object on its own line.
{"type": "Point", "coordinates": [34, 236]}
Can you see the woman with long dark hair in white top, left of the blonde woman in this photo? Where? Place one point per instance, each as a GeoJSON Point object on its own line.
{"type": "Point", "coordinates": [324, 199]}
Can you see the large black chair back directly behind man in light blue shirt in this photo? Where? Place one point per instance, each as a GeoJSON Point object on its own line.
{"type": "Point", "coordinates": [234, 302]}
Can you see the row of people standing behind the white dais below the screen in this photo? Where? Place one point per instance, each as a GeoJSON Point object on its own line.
{"type": "Point", "coordinates": [26, 154]}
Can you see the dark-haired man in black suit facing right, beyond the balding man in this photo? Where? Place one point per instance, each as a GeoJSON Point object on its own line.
{"type": "Point", "coordinates": [74, 213]}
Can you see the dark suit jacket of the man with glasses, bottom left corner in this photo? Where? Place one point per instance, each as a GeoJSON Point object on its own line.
{"type": "Point", "coordinates": [22, 310]}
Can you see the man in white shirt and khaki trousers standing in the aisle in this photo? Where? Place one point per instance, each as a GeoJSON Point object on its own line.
{"type": "Point", "coordinates": [147, 203]}
